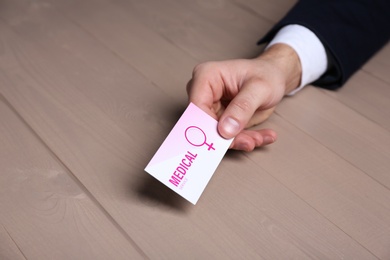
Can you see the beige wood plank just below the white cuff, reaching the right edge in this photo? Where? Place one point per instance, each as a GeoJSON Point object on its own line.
{"type": "Point", "coordinates": [342, 130]}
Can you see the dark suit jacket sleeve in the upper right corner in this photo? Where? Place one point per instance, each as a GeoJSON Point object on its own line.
{"type": "Point", "coordinates": [351, 31]}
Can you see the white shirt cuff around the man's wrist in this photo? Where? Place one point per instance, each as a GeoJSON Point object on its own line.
{"type": "Point", "coordinates": [310, 50]}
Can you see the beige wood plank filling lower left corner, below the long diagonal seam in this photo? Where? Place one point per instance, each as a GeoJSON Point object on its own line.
{"type": "Point", "coordinates": [45, 213]}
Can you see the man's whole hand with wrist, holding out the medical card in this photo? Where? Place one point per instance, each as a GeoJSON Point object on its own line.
{"type": "Point", "coordinates": [244, 93]}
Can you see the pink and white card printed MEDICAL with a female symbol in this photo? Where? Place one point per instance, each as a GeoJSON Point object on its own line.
{"type": "Point", "coordinates": [189, 156]}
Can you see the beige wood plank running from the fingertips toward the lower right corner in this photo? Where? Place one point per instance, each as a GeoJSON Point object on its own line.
{"type": "Point", "coordinates": [344, 194]}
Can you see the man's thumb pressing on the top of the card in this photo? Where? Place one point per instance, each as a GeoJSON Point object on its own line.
{"type": "Point", "coordinates": [240, 110]}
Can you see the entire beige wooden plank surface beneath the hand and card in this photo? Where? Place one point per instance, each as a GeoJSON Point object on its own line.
{"type": "Point", "coordinates": [89, 90]}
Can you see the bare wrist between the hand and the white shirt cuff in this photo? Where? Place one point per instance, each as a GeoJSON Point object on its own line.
{"type": "Point", "coordinates": [287, 61]}
